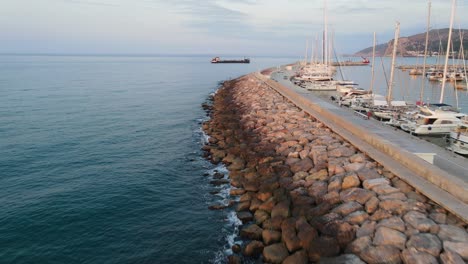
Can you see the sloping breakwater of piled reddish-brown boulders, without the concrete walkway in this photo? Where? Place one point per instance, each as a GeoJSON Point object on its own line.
{"type": "Point", "coordinates": [305, 195]}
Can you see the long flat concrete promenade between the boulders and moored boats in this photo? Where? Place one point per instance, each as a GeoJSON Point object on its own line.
{"type": "Point", "coordinates": [445, 181]}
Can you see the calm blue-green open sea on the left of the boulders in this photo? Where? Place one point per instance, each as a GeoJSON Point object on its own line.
{"type": "Point", "coordinates": [100, 159]}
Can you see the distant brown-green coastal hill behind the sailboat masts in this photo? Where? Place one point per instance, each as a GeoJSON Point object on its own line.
{"type": "Point", "coordinates": [414, 45]}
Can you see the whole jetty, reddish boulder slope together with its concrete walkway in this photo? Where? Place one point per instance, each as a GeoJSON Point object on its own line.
{"type": "Point", "coordinates": [316, 183]}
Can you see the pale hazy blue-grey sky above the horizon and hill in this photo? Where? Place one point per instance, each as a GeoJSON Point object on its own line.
{"type": "Point", "coordinates": [237, 27]}
